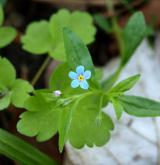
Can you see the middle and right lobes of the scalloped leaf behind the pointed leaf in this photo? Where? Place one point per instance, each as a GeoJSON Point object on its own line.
{"type": "Point", "coordinates": [63, 18]}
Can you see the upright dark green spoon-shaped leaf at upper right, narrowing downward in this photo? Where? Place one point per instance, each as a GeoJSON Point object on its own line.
{"type": "Point", "coordinates": [128, 39]}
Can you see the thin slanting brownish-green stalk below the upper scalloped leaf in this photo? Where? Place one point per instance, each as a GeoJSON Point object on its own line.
{"type": "Point", "coordinates": [40, 71]}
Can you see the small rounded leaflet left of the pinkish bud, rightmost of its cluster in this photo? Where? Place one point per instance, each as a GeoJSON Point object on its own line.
{"type": "Point", "coordinates": [20, 92]}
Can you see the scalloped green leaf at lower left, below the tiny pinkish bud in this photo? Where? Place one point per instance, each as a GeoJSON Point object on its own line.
{"type": "Point", "coordinates": [40, 120]}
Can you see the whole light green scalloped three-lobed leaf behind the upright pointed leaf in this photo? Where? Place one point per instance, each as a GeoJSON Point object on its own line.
{"type": "Point", "coordinates": [51, 39]}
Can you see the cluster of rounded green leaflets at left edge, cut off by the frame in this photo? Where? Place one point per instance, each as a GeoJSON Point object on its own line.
{"type": "Point", "coordinates": [12, 90]}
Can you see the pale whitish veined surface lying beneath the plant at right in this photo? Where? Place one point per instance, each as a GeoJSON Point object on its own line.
{"type": "Point", "coordinates": [134, 139]}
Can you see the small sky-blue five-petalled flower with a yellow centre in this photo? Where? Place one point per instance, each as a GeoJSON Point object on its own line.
{"type": "Point", "coordinates": [79, 77]}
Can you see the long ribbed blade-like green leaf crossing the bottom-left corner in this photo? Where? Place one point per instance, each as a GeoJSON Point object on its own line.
{"type": "Point", "coordinates": [19, 150]}
